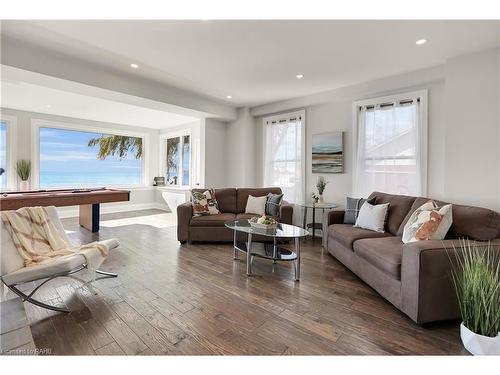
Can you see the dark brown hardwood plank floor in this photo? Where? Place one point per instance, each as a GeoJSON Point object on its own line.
{"type": "Point", "coordinates": [194, 299]}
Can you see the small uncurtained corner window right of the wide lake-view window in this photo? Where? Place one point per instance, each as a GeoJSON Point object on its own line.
{"type": "Point", "coordinates": [178, 160]}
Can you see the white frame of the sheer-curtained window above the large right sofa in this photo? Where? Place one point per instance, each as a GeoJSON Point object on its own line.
{"type": "Point", "coordinates": [423, 129]}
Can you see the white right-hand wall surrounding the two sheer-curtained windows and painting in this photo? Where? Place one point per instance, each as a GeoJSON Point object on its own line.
{"type": "Point", "coordinates": [463, 124]}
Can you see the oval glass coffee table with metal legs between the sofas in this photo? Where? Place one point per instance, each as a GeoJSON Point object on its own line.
{"type": "Point", "coordinates": [271, 250]}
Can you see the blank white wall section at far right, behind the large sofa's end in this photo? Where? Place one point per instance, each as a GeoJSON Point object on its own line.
{"type": "Point", "coordinates": [473, 129]}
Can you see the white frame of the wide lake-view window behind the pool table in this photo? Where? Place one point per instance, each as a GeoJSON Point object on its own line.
{"type": "Point", "coordinates": [37, 123]}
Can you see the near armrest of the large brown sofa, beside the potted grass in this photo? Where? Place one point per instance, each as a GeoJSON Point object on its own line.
{"type": "Point", "coordinates": [427, 289]}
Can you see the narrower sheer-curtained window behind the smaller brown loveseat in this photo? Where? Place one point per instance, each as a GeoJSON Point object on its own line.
{"type": "Point", "coordinates": [284, 164]}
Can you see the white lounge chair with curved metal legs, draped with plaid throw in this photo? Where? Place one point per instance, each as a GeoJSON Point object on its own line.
{"type": "Point", "coordinates": [13, 272]}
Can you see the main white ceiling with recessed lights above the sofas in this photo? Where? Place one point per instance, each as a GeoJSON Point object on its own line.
{"type": "Point", "coordinates": [256, 61]}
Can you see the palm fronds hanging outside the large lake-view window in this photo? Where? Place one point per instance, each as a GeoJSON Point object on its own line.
{"type": "Point", "coordinates": [110, 145]}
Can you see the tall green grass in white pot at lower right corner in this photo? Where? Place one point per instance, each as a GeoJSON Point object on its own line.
{"type": "Point", "coordinates": [476, 277]}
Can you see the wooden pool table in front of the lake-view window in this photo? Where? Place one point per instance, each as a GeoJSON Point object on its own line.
{"type": "Point", "coordinates": [89, 201]}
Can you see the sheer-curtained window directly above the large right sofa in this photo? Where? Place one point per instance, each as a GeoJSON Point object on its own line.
{"type": "Point", "coordinates": [391, 145]}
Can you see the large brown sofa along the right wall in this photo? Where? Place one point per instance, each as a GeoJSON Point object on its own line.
{"type": "Point", "coordinates": [414, 277]}
